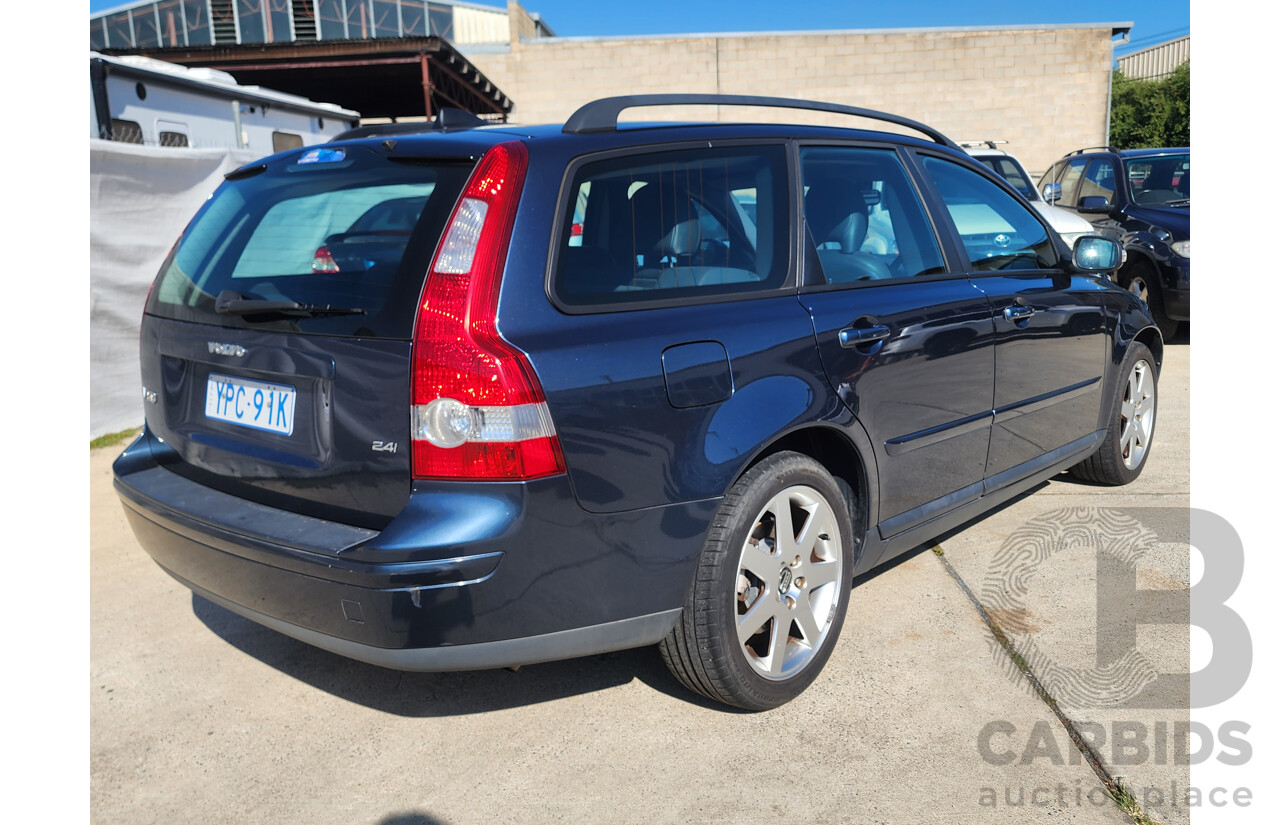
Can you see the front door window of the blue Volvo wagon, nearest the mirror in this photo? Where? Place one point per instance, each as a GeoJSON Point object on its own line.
{"type": "Point", "coordinates": [998, 232]}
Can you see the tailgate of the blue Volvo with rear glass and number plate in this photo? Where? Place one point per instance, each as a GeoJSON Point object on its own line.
{"type": "Point", "coordinates": [277, 340]}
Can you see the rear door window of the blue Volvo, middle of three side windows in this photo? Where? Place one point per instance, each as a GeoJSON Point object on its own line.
{"type": "Point", "coordinates": [865, 217]}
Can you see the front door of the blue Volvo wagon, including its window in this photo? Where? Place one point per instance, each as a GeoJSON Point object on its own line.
{"type": "Point", "coordinates": [1050, 323]}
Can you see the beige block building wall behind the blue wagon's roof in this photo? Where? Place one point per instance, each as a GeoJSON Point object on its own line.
{"type": "Point", "coordinates": [1045, 91]}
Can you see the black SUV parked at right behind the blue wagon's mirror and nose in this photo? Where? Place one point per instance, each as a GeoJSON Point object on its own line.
{"type": "Point", "coordinates": [1146, 196]}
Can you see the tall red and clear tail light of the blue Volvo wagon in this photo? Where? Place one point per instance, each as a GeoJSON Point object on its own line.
{"type": "Point", "coordinates": [478, 409]}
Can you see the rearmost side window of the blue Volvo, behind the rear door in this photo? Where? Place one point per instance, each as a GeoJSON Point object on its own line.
{"type": "Point", "coordinates": [673, 226]}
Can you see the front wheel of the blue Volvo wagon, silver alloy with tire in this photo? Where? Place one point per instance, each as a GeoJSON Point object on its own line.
{"type": "Point", "coordinates": [1132, 424]}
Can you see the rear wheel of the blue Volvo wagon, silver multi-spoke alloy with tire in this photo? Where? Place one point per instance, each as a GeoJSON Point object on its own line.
{"type": "Point", "coordinates": [794, 592]}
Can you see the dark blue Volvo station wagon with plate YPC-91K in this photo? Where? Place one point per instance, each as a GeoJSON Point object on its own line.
{"type": "Point", "coordinates": [484, 396]}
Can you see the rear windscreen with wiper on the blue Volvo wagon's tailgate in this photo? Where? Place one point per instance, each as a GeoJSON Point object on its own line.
{"type": "Point", "coordinates": [331, 241]}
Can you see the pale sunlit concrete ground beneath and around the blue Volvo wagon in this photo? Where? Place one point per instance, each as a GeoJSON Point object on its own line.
{"type": "Point", "coordinates": [921, 716]}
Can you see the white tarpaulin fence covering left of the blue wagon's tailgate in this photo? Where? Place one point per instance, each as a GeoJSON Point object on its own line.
{"type": "Point", "coordinates": [141, 199]}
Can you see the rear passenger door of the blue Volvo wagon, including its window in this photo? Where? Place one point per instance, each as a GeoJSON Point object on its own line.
{"type": "Point", "coordinates": [906, 343]}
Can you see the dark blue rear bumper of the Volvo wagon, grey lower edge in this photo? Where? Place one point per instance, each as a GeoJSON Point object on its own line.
{"type": "Point", "coordinates": [469, 576]}
